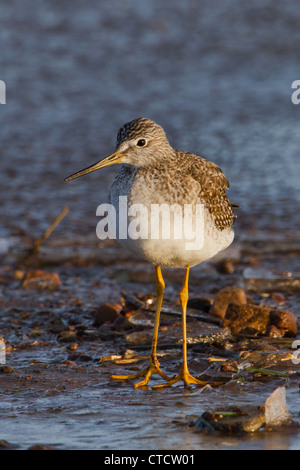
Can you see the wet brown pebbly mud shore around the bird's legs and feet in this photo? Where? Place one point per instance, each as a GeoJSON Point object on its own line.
{"type": "Point", "coordinates": [64, 341]}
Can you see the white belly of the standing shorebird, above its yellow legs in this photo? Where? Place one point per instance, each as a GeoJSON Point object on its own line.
{"type": "Point", "coordinates": [176, 247]}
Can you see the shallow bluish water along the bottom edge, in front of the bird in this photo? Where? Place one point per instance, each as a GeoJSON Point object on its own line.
{"type": "Point", "coordinates": [149, 421]}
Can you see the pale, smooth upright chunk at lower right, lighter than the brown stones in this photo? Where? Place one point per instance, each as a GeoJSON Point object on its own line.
{"type": "Point", "coordinates": [276, 411]}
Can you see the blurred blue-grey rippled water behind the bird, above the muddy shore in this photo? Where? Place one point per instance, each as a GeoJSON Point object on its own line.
{"type": "Point", "coordinates": [216, 75]}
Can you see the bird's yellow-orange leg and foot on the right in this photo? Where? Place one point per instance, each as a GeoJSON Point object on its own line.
{"type": "Point", "coordinates": [184, 374]}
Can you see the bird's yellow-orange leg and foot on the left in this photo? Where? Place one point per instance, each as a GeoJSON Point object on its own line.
{"type": "Point", "coordinates": [153, 367]}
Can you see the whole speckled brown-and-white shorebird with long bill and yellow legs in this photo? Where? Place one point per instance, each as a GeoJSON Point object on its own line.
{"type": "Point", "coordinates": [155, 174]}
